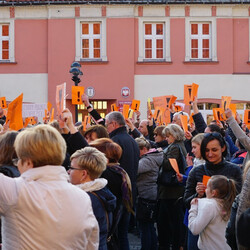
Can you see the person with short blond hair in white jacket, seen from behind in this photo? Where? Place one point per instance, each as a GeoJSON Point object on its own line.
{"type": "Point", "coordinates": [41, 209]}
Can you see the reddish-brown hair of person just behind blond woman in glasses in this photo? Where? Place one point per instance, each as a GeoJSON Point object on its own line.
{"type": "Point", "coordinates": [112, 150]}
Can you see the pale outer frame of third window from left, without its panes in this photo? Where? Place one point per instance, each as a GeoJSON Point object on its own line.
{"type": "Point", "coordinates": [166, 41]}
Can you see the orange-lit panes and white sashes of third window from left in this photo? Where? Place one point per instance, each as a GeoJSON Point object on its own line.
{"type": "Point", "coordinates": [153, 40]}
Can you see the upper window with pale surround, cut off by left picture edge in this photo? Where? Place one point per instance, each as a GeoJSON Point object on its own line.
{"type": "Point", "coordinates": [7, 42]}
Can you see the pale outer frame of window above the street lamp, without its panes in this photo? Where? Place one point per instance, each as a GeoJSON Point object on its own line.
{"type": "Point", "coordinates": [103, 48]}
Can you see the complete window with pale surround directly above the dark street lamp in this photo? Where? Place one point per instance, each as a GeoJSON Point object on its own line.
{"type": "Point", "coordinates": [91, 40]}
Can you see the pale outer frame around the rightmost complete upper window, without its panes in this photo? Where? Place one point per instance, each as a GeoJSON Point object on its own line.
{"type": "Point", "coordinates": [212, 43]}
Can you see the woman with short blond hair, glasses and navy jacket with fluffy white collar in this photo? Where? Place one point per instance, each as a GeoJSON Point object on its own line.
{"type": "Point", "coordinates": [87, 165]}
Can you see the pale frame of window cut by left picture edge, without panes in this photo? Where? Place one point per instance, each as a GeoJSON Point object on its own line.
{"type": "Point", "coordinates": [11, 40]}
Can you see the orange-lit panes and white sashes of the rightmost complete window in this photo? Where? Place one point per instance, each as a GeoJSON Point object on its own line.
{"type": "Point", "coordinates": [200, 41]}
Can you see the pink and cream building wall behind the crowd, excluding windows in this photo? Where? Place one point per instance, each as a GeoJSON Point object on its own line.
{"type": "Point", "coordinates": [45, 47]}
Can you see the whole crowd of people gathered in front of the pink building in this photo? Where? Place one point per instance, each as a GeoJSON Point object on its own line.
{"type": "Point", "coordinates": [62, 187]}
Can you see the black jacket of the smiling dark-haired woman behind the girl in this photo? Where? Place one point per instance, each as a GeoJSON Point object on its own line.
{"type": "Point", "coordinates": [225, 168]}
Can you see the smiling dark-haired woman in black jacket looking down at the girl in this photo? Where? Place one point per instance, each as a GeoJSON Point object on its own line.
{"type": "Point", "coordinates": [213, 151]}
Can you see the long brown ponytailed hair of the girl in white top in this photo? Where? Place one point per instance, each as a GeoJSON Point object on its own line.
{"type": "Point", "coordinates": [226, 192]}
